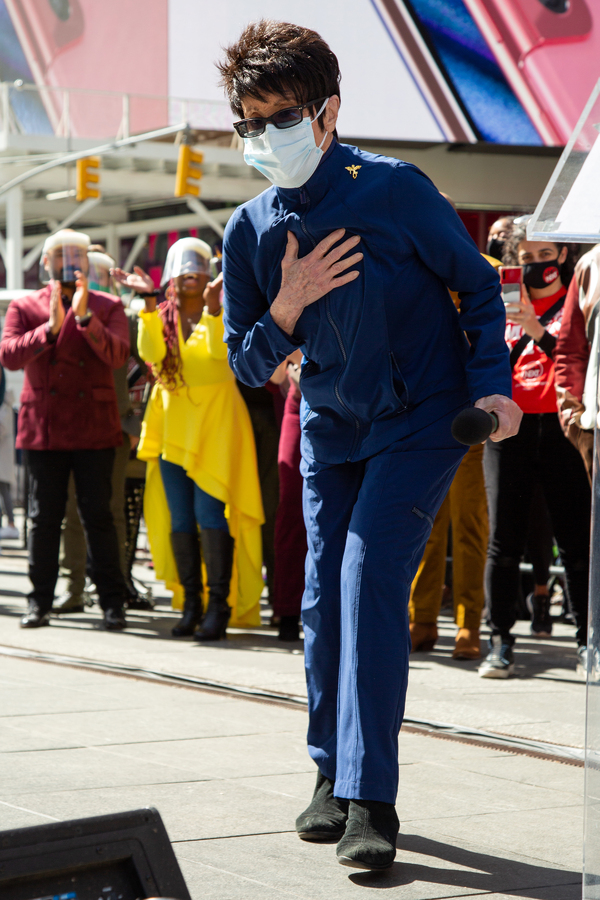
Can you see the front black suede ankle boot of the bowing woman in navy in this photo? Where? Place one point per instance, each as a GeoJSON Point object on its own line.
{"type": "Point", "coordinates": [370, 838]}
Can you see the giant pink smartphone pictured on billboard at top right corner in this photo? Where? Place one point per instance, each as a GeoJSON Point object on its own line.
{"type": "Point", "coordinates": [549, 52]}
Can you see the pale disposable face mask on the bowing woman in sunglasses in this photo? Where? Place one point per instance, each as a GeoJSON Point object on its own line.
{"type": "Point", "coordinates": [286, 156]}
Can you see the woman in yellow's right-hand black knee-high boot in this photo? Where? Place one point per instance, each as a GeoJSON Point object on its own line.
{"type": "Point", "coordinates": [217, 550]}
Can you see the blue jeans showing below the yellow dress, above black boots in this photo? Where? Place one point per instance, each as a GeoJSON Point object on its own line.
{"type": "Point", "coordinates": [188, 504]}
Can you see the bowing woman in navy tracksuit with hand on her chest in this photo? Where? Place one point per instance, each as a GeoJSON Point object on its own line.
{"type": "Point", "coordinates": [349, 256]}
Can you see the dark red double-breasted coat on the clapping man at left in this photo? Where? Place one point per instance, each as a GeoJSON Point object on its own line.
{"type": "Point", "coordinates": [68, 401]}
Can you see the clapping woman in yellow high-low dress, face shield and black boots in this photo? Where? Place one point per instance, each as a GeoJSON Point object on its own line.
{"type": "Point", "coordinates": [197, 440]}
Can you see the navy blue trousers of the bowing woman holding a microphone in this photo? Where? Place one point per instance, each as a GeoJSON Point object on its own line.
{"type": "Point", "coordinates": [367, 524]}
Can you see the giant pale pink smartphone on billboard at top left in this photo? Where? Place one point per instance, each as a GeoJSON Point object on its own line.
{"type": "Point", "coordinates": [102, 47]}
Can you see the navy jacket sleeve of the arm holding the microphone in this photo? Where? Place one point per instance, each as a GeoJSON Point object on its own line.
{"type": "Point", "coordinates": [442, 243]}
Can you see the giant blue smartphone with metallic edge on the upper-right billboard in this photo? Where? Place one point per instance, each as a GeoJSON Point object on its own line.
{"type": "Point", "coordinates": [459, 76]}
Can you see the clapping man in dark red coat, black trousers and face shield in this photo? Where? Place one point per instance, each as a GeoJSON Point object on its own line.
{"type": "Point", "coordinates": [68, 339]}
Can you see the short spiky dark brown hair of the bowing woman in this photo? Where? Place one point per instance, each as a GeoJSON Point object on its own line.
{"type": "Point", "coordinates": [278, 58]}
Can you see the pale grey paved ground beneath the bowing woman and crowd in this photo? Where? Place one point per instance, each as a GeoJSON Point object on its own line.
{"type": "Point", "coordinates": [229, 774]}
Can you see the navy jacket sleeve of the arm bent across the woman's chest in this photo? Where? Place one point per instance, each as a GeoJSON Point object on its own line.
{"type": "Point", "coordinates": [256, 344]}
